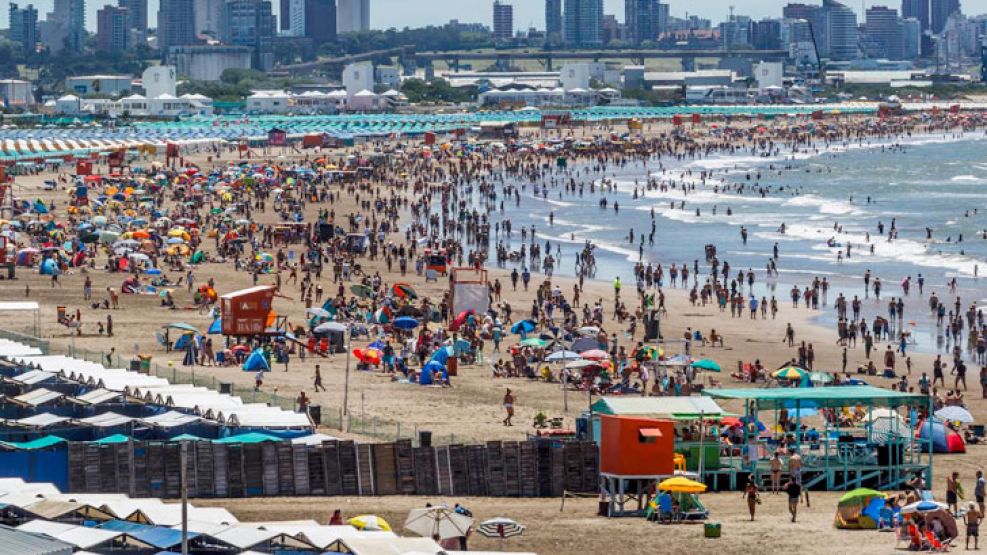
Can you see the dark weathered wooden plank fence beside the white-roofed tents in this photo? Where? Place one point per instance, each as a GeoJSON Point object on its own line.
{"type": "Point", "coordinates": [497, 469]}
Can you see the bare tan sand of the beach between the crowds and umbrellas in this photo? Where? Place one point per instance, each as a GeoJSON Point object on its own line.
{"type": "Point", "coordinates": [470, 410]}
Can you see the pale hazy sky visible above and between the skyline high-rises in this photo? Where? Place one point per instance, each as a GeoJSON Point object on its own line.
{"type": "Point", "coordinates": [418, 13]}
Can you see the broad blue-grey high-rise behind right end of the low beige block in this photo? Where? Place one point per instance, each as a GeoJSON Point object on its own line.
{"type": "Point", "coordinates": [252, 23]}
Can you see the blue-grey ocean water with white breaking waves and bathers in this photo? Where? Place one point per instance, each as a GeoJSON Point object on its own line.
{"type": "Point", "coordinates": [937, 181]}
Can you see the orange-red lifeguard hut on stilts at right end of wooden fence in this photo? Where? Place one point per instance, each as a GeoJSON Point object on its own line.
{"type": "Point", "coordinates": [635, 454]}
